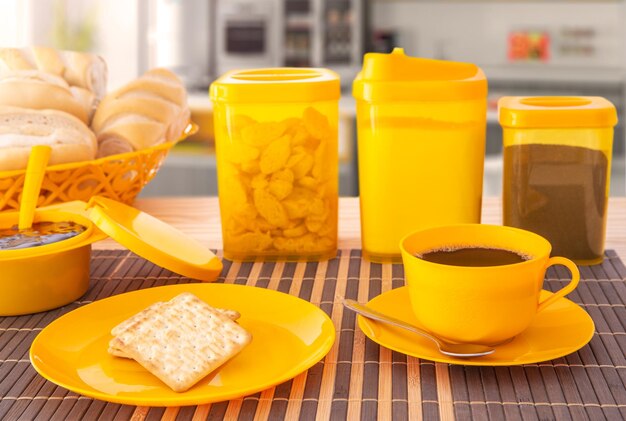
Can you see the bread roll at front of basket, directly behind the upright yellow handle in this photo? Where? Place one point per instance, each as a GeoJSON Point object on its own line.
{"type": "Point", "coordinates": [21, 129]}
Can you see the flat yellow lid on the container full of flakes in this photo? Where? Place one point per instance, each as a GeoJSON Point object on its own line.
{"type": "Point", "coordinates": [284, 84]}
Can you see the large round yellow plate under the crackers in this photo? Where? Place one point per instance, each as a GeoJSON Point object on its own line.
{"type": "Point", "coordinates": [289, 336]}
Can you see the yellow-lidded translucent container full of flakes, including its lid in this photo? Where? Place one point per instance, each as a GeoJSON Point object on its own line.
{"type": "Point", "coordinates": [277, 162]}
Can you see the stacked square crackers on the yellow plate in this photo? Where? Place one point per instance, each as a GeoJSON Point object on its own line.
{"type": "Point", "coordinates": [180, 341]}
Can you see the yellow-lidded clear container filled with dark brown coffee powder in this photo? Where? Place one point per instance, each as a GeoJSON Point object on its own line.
{"type": "Point", "coordinates": [557, 163]}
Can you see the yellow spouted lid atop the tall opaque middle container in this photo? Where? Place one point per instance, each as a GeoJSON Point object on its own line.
{"type": "Point", "coordinates": [398, 77]}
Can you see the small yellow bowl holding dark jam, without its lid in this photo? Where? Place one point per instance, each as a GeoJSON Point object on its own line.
{"type": "Point", "coordinates": [45, 277]}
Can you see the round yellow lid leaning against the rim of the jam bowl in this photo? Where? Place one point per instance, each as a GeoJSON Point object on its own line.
{"type": "Point", "coordinates": [154, 240]}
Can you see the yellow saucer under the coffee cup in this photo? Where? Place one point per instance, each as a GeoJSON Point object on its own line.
{"type": "Point", "coordinates": [562, 328]}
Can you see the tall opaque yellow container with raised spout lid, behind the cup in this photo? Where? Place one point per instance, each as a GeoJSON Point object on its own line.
{"type": "Point", "coordinates": [421, 145]}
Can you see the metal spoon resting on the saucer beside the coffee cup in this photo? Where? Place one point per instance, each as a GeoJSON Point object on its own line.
{"type": "Point", "coordinates": [454, 350]}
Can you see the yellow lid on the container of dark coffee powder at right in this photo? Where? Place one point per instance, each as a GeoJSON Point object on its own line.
{"type": "Point", "coordinates": [556, 112]}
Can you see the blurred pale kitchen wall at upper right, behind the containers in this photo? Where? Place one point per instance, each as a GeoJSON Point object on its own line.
{"type": "Point", "coordinates": [477, 31]}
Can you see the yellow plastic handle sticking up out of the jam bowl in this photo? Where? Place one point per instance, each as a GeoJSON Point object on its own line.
{"type": "Point", "coordinates": [35, 171]}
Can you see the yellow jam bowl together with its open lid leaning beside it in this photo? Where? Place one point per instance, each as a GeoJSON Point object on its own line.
{"type": "Point", "coordinates": [49, 276]}
